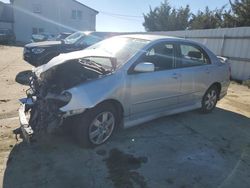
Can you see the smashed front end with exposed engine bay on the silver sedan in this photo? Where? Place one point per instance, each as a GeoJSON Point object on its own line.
{"type": "Point", "coordinates": [40, 112]}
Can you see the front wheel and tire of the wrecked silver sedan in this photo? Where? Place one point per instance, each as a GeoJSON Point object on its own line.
{"type": "Point", "coordinates": [96, 125]}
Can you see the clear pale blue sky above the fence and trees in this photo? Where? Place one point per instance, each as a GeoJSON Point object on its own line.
{"type": "Point", "coordinates": [127, 15]}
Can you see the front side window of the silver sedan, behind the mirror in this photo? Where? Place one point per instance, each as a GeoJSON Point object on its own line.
{"type": "Point", "coordinates": [161, 55]}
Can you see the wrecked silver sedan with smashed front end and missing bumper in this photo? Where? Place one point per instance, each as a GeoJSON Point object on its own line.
{"type": "Point", "coordinates": [123, 81]}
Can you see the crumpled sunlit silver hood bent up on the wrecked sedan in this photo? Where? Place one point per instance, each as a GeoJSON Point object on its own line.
{"type": "Point", "coordinates": [62, 58]}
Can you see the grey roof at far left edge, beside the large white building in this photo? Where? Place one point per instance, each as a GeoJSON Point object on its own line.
{"type": "Point", "coordinates": [6, 13]}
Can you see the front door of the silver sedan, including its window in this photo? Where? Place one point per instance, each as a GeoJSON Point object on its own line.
{"type": "Point", "coordinates": [155, 91]}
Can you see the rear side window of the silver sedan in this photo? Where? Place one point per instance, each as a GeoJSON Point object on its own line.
{"type": "Point", "coordinates": [192, 56]}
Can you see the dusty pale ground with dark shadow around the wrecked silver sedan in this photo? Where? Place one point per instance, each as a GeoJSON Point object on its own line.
{"type": "Point", "coordinates": [184, 150]}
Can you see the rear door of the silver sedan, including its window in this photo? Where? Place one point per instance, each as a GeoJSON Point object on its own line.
{"type": "Point", "coordinates": [194, 66]}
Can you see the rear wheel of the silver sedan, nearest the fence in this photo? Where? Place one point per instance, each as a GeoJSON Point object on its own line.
{"type": "Point", "coordinates": [209, 100]}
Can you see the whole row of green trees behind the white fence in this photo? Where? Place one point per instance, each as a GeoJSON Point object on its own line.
{"type": "Point", "coordinates": [166, 18]}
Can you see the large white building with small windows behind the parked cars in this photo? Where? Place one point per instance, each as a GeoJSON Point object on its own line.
{"type": "Point", "coordinates": [51, 16]}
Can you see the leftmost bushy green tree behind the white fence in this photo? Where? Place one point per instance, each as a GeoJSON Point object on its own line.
{"type": "Point", "coordinates": [166, 18]}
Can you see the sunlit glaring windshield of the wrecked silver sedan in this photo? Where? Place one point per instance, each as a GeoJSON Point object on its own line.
{"type": "Point", "coordinates": [122, 48]}
